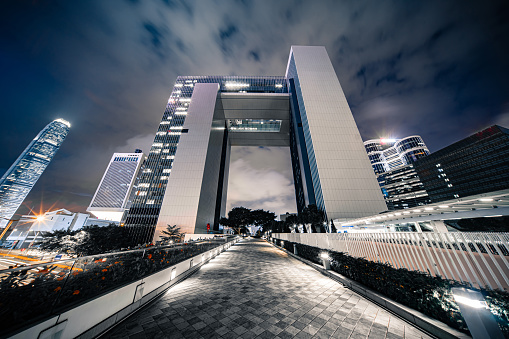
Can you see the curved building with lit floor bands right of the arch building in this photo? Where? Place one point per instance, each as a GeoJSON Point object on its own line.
{"type": "Point", "coordinates": [392, 160]}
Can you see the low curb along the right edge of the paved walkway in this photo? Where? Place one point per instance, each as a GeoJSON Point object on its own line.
{"type": "Point", "coordinates": [422, 321]}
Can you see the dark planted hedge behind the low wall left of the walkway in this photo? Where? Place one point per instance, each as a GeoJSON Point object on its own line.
{"type": "Point", "coordinates": [32, 294]}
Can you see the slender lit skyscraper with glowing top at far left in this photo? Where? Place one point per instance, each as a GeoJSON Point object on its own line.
{"type": "Point", "coordinates": [19, 179]}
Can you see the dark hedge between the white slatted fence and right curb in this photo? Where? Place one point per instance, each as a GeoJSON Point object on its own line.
{"type": "Point", "coordinates": [423, 292]}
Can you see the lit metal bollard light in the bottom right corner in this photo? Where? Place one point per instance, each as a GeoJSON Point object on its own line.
{"type": "Point", "coordinates": [473, 308]}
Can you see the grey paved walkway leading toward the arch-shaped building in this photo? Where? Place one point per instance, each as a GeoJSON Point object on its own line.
{"type": "Point", "coordinates": [255, 290]}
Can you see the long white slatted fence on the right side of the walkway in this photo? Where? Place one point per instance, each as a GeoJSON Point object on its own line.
{"type": "Point", "coordinates": [481, 259]}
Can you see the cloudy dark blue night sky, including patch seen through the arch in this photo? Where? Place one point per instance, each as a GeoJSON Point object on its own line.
{"type": "Point", "coordinates": [439, 69]}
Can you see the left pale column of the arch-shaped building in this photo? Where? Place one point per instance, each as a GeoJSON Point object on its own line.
{"type": "Point", "coordinates": [190, 199]}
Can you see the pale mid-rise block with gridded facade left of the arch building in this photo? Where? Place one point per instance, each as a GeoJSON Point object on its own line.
{"type": "Point", "coordinates": [117, 187]}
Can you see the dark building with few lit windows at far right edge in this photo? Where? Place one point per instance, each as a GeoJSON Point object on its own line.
{"type": "Point", "coordinates": [477, 164]}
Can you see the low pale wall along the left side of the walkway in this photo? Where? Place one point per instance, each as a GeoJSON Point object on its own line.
{"type": "Point", "coordinates": [100, 314]}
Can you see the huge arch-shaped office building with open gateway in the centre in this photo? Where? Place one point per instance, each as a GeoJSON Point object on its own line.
{"type": "Point", "coordinates": [186, 175]}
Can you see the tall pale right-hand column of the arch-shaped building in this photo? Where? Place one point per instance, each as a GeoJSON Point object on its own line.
{"type": "Point", "coordinates": [344, 183]}
